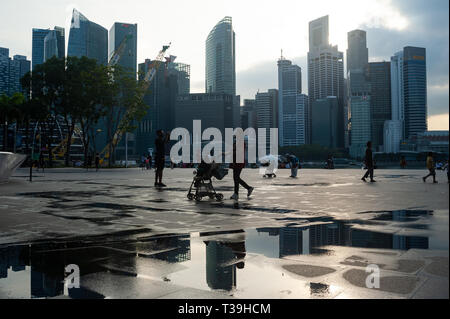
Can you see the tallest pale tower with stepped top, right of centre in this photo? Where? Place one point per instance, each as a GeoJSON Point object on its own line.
{"type": "Point", "coordinates": [326, 70]}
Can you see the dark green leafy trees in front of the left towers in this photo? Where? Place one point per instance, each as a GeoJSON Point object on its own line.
{"type": "Point", "coordinates": [81, 91]}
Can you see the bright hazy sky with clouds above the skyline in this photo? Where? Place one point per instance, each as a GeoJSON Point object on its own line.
{"type": "Point", "coordinates": [263, 28]}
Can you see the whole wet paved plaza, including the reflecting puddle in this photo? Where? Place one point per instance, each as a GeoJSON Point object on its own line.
{"type": "Point", "coordinates": [311, 237]}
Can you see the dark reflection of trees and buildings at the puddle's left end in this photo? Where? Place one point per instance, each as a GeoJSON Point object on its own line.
{"type": "Point", "coordinates": [46, 262]}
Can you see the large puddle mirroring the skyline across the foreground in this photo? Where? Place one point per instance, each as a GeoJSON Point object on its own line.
{"type": "Point", "coordinates": [250, 263]}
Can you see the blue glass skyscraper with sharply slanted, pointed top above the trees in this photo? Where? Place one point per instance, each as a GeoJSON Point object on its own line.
{"type": "Point", "coordinates": [88, 39]}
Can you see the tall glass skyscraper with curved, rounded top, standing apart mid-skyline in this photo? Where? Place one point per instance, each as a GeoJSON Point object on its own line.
{"type": "Point", "coordinates": [220, 59]}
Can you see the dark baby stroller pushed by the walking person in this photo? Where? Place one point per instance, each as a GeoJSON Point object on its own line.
{"type": "Point", "coordinates": [202, 183]}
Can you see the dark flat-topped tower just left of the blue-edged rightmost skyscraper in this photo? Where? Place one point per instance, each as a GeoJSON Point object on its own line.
{"type": "Point", "coordinates": [380, 101]}
